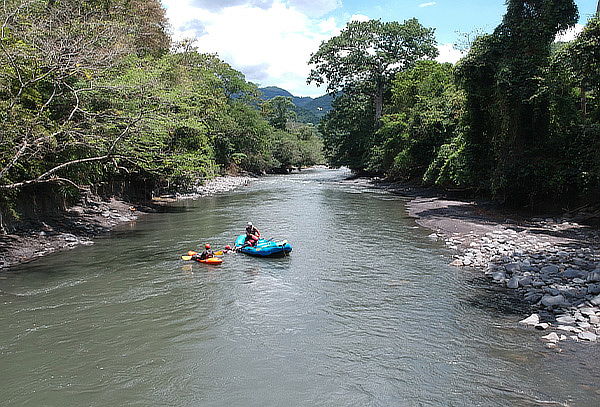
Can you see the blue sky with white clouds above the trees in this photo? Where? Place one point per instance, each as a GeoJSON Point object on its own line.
{"type": "Point", "coordinates": [271, 41]}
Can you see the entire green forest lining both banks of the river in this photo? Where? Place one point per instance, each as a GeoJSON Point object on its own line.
{"type": "Point", "coordinates": [95, 96]}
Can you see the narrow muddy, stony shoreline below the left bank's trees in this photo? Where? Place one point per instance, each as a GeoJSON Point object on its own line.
{"type": "Point", "coordinates": [94, 217]}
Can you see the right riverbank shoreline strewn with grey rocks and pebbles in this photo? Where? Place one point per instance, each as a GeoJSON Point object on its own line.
{"type": "Point", "coordinates": [552, 263]}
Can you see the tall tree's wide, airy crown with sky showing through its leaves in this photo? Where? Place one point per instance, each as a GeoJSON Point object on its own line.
{"type": "Point", "coordinates": [371, 52]}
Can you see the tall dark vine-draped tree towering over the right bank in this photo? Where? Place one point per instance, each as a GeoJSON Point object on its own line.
{"type": "Point", "coordinates": [508, 118]}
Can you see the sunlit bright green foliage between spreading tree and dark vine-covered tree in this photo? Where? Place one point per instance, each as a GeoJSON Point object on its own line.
{"type": "Point", "coordinates": [424, 114]}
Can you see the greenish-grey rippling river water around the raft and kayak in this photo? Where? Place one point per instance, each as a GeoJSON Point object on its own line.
{"type": "Point", "coordinates": [364, 312]}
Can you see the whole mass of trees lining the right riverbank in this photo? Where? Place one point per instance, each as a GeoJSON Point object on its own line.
{"type": "Point", "coordinates": [518, 118]}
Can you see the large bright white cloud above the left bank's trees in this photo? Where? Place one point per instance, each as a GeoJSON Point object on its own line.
{"type": "Point", "coordinates": [270, 45]}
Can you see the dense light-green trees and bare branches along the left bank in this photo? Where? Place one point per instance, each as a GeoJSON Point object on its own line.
{"type": "Point", "coordinates": [93, 91]}
